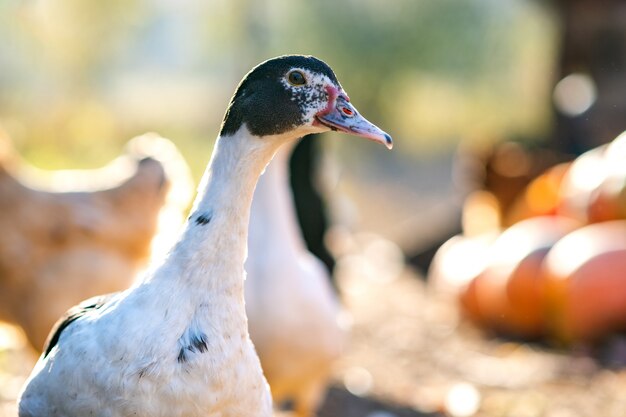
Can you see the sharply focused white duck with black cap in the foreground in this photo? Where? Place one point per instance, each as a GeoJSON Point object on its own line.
{"type": "Point", "coordinates": [177, 342]}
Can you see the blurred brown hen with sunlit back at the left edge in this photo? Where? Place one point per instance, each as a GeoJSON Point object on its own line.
{"type": "Point", "coordinates": [72, 234]}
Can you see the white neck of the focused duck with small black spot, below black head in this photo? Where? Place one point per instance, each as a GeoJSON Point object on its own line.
{"type": "Point", "coordinates": [213, 246]}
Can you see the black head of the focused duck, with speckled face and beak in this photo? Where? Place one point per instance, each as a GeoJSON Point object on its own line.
{"type": "Point", "coordinates": [295, 95]}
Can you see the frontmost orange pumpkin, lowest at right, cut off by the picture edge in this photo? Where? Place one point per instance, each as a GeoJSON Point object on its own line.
{"type": "Point", "coordinates": [586, 282]}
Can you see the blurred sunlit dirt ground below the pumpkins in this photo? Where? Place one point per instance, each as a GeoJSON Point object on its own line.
{"type": "Point", "coordinates": [409, 354]}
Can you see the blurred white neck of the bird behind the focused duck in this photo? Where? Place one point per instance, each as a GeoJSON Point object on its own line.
{"type": "Point", "coordinates": [273, 209]}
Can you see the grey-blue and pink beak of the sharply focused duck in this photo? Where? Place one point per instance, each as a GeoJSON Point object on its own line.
{"type": "Point", "coordinates": [343, 117]}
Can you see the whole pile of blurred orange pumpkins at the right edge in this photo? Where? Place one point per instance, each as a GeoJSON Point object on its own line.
{"type": "Point", "coordinates": [556, 266]}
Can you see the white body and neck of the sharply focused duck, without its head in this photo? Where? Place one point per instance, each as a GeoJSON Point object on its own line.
{"type": "Point", "coordinates": [167, 346]}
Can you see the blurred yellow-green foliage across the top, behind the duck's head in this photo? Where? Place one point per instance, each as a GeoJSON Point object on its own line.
{"type": "Point", "coordinates": [89, 74]}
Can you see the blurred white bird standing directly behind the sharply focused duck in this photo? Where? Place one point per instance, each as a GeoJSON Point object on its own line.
{"type": "Point", "coordinates": [293, 311]}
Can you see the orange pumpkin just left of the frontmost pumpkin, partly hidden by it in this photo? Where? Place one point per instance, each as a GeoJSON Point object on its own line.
{"type": "Point", "coordinates": [507, 295]}
